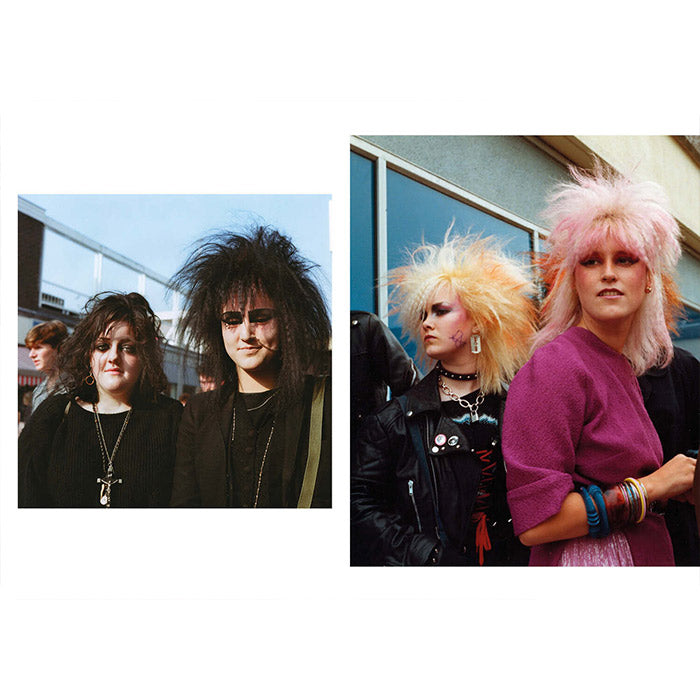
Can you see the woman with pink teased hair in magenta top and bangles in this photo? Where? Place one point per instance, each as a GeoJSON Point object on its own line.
{"type": "Point", "coordinates": [583, 458]}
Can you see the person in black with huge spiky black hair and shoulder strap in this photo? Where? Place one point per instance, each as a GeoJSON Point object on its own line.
{"type": "Point", "coordinates": [262, 438]}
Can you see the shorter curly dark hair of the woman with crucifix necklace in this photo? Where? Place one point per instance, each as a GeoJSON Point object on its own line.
{"type": "Point", "coordinates": [102, 311]}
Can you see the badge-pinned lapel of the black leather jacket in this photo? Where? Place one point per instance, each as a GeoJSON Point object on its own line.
{"type": "Point", "coordinates": [443, 436]}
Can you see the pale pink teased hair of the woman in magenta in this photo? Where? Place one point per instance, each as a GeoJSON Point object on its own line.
{"type": "Point", "coordinates": [583, 213]}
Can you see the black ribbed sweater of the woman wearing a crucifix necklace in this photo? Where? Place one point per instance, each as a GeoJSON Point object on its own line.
{"type": "Point", "coordinates": [60, 459]}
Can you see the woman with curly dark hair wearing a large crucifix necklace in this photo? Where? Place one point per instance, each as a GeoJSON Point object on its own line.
{"type": "Point", "coordinates": [109, 441]}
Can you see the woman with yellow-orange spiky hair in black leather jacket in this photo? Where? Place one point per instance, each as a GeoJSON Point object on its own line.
{"type": "Point", "coordinates": [428, 482]}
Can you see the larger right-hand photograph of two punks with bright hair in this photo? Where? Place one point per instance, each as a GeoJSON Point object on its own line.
{"type": "Point", "coordinates": [525, 335]}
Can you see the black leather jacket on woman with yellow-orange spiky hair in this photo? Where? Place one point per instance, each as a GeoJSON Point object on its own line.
{"type": "Point", "coordinates": [393, 504]}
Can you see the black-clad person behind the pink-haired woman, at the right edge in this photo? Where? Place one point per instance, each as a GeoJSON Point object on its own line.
{"type": "Point", "coordinates": [672, 399]}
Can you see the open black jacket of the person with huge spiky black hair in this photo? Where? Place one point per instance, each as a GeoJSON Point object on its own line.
{"type": "Point", "coordinates": [202, 465]}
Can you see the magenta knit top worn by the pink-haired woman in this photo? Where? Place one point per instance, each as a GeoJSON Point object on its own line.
{"type": "Point", "coordinates": [574, 415]}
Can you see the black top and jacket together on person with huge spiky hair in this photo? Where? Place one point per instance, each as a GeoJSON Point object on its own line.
{"type": "Point", "coordinates": [211, 473]}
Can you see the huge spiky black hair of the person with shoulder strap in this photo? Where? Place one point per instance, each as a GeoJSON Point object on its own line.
{"type": "Point", "coordinates": [261, 260]}
